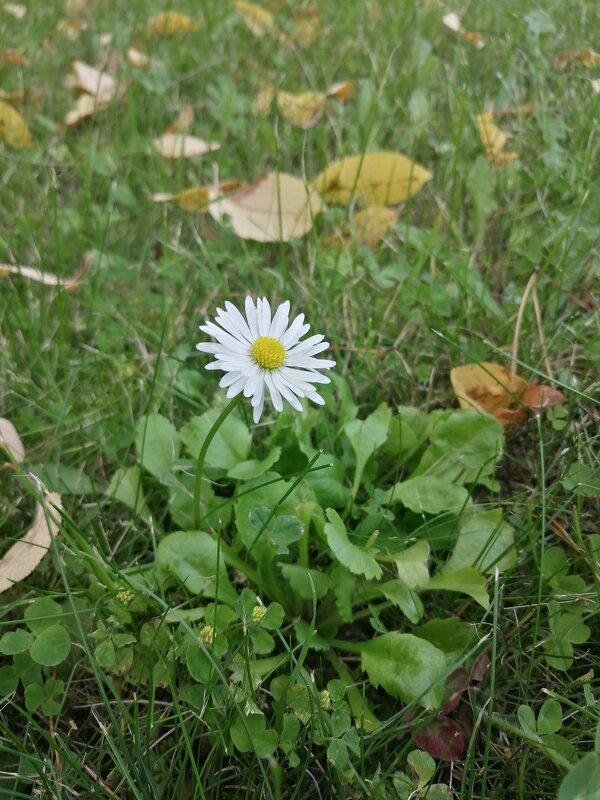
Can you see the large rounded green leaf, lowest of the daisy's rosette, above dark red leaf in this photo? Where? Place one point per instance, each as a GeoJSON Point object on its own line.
{"type": "Point", "coordinates": [407, 667]}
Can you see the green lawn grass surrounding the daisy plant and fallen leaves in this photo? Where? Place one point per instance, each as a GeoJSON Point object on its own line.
{"type": "Point", "coordinates": [79, 369]}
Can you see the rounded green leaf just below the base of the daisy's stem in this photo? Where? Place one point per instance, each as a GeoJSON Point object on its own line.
{"type": "Point", "coordinates": [193, 557]}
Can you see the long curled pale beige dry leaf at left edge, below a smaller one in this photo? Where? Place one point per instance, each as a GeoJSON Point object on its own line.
{"type": "Point", "coordinates": [24, 556]}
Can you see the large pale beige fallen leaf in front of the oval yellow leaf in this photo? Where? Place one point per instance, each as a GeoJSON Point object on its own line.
{"type": "Point", "coordinates": [274, 208]}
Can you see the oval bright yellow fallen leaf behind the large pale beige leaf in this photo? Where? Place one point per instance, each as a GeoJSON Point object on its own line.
{"type": "Point", "coordinates": [375, 179]}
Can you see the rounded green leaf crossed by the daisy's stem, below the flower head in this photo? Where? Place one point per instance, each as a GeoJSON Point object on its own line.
{"type": "Point", "coordinates": [229, 447]}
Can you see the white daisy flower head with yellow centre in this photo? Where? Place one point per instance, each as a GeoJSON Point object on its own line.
{"type": "Point", "coordinates": [260, 350]}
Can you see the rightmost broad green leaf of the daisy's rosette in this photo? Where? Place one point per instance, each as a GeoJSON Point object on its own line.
{"type": "Point", "coordinates": [485, 541]}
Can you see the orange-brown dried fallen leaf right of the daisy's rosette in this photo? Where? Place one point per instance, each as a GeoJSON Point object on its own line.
{"type": "Point", "coordinates": [490, 387]}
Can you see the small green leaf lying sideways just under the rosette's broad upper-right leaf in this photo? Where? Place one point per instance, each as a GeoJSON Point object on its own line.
{"type": "Point", "coordinates": [427, 494]}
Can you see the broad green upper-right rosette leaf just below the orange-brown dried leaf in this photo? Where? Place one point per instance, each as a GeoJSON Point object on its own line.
{"type": "Point", "coordinates": [464, 447]}
